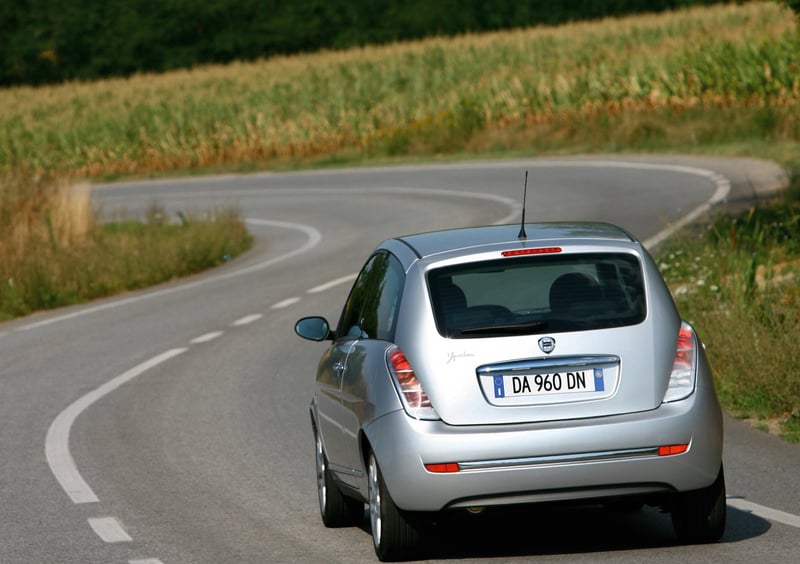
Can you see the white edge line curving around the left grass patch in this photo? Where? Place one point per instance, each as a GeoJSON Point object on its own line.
{"type": "Point", "coordinates": [313, 239]}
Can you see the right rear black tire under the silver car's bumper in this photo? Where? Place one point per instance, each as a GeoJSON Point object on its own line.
{"type": "Point", "coordinates": [699, 516]}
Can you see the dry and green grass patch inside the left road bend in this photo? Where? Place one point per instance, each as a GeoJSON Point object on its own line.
{"type": "Point", "coordinates": [54, 251]}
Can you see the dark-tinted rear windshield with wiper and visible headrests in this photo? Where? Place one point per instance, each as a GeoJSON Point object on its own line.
{"type": "Point", "coordinates": [537, 294]}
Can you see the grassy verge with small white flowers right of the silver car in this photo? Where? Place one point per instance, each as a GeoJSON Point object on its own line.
{"type": "Point", "coordinates": [737, 280]}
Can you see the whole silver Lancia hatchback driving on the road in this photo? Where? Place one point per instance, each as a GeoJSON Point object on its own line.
{"type": "Point", "coordinates": [494, 366]}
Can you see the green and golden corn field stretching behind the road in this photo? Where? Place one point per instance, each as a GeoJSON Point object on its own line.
{"type": "Point", "coordinates": [422, 97]}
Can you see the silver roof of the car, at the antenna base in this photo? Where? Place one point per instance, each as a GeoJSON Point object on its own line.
{"type": "Point", "coordinates": [469, 240]}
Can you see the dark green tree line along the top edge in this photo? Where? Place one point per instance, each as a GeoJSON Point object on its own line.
{"type": "Point", "coordinates": [51, 41]}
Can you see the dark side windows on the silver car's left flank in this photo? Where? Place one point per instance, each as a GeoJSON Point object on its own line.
{"type": "Point", "coordinates": [371, 308]}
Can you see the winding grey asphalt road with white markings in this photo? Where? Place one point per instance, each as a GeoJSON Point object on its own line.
{"type": "Point", "coordinates": [171, 425]}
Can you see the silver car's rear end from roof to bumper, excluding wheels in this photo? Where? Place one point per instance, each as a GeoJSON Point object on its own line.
{"type": "Point", "coordinates": [547, 369]}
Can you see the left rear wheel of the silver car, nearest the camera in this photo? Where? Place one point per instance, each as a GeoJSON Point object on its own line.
{"type": "Point", "coordinates": [393, 535]}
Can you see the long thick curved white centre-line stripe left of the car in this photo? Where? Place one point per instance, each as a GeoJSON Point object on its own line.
{"type": "Point", "coordinates": [56, 444]}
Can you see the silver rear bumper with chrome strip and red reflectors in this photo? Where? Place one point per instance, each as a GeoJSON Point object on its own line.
{"type": "Point", "coordinates": [543, 462]}
